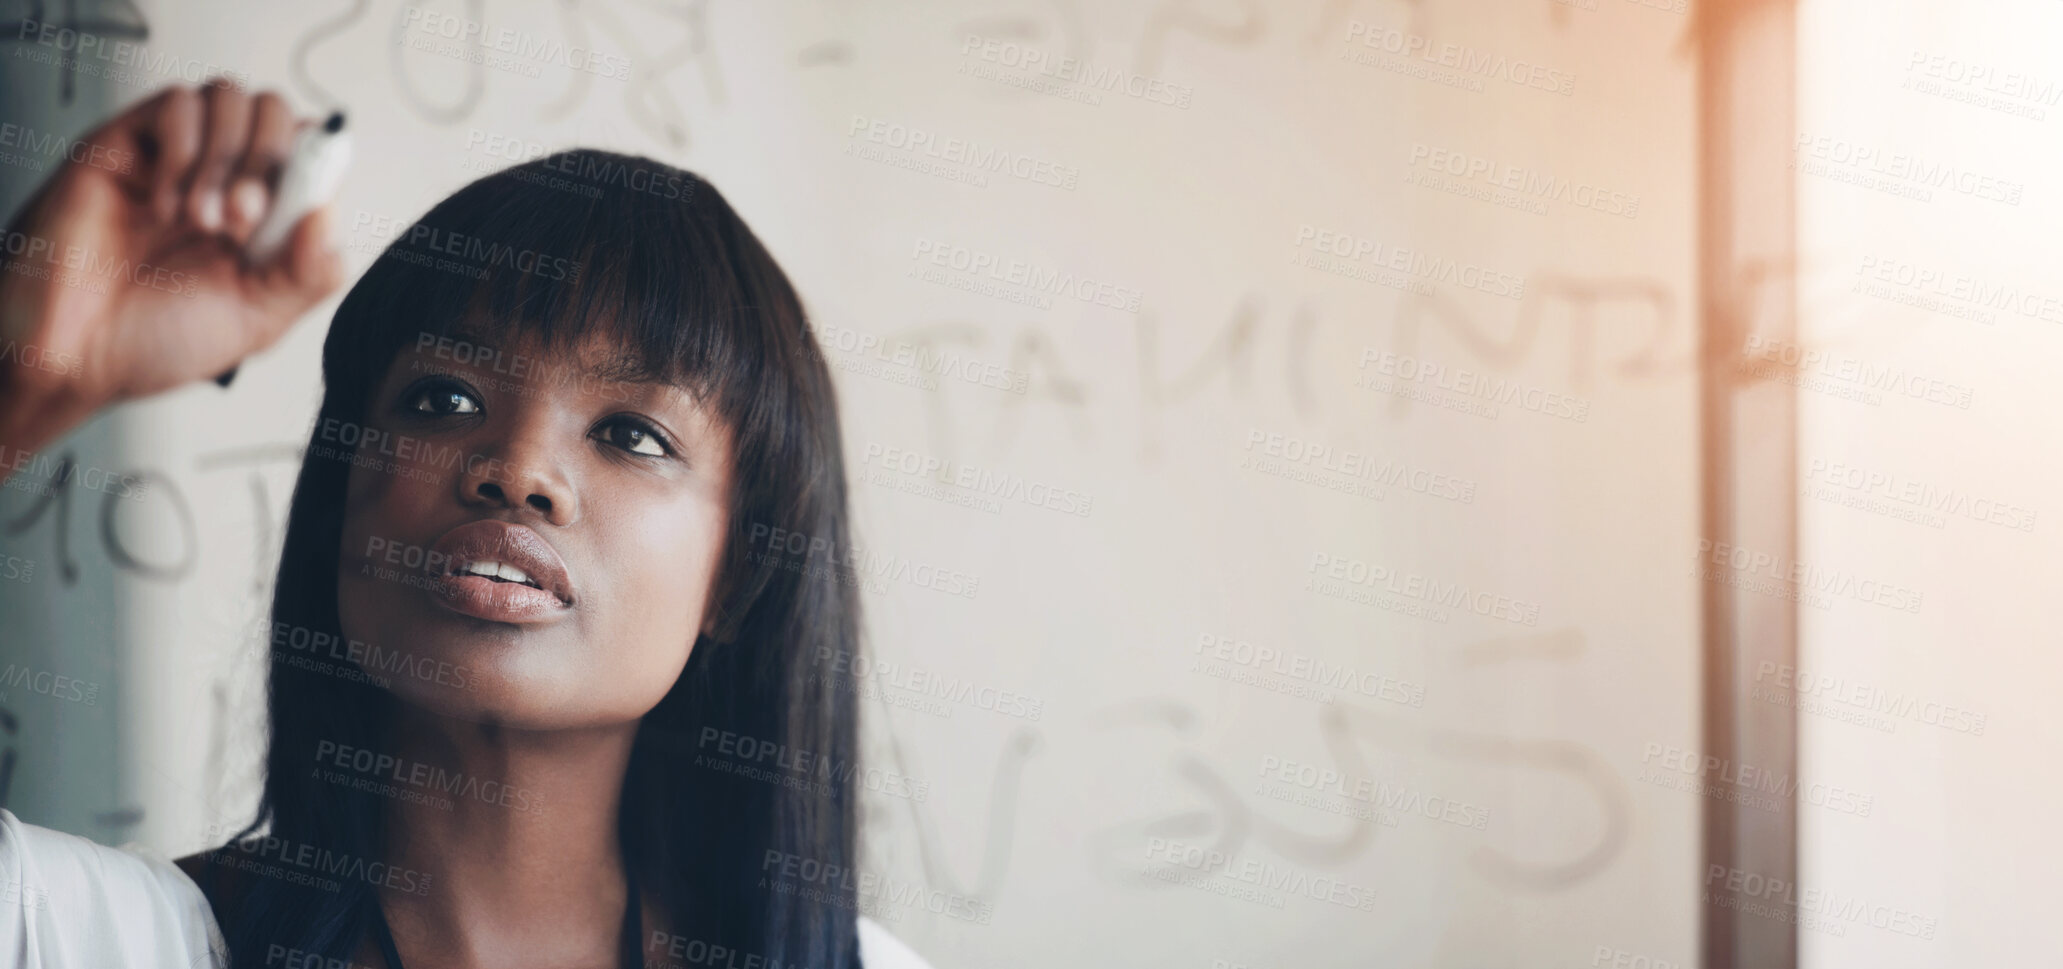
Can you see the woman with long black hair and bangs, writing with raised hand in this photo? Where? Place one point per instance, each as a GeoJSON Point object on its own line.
{"type": "Point", "coordinates": [548, 512]}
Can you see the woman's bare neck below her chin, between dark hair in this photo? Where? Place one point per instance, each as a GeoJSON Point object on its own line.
{"type": "Point", "coordinates": [513, 842]}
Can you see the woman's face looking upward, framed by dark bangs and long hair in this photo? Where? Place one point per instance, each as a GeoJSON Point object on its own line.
{"type": "Point", "coordinates": [527, 539]}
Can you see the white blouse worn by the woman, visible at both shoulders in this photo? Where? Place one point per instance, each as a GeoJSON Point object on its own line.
{"type": "Point", "coordinates": [75, 904]}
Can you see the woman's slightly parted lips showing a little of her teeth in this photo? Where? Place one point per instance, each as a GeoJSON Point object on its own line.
{"type": "Point", "coordinates": [502, 543]}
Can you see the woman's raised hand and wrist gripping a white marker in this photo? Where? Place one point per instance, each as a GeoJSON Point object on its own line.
{"type": "Point", "coordinates": [127, 273]}
